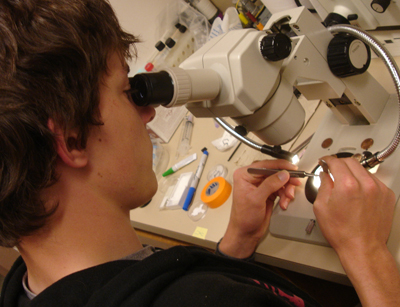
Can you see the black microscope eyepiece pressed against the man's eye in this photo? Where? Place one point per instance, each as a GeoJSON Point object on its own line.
{"type": "Point", "coordinates": [152, 88]}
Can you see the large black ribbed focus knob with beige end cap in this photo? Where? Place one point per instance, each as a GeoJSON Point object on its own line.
{"type": "Point", "coordinates": [348, 56]}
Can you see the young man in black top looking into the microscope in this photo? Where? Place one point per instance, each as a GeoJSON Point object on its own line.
{"type": "Point", "coordinates": [76, 159]}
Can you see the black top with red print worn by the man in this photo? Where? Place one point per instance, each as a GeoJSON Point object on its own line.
{"type": "Point", "coordinates": [180, 276]}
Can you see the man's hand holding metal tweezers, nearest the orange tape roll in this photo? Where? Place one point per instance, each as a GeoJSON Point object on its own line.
{"type": "Point", "coordinates": [253, 200]}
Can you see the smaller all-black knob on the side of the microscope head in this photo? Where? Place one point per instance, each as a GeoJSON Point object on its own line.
{"type": "Point", "coordinates": [275, 47]}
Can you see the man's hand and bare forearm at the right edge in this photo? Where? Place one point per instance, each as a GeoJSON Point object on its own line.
{"type": "Point", "coordinates": [355, 213]}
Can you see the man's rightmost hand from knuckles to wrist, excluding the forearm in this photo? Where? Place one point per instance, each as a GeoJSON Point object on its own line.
{"type": "Point", "coordinates": [356, 210]}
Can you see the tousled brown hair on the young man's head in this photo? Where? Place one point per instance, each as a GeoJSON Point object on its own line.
{"type": "Point", "coordinates": [53, 54]}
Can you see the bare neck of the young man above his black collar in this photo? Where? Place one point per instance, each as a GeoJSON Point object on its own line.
{"type": "Point", "coordinates": [80, 235]}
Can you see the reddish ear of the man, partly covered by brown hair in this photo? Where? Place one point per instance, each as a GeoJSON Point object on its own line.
{"type": "Point", "coordinates": [67, 146]}
